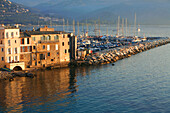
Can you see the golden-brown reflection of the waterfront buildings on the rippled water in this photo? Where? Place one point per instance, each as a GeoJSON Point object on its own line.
{"type": "Point", "coordinates": [48, 86]}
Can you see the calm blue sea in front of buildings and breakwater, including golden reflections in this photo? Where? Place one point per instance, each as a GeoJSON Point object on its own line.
{"type": "Point", "coordinates": [138, 84]}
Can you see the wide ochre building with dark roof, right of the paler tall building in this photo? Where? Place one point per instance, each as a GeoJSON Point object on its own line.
{"type": "Point", "coordinates": [49, 47]}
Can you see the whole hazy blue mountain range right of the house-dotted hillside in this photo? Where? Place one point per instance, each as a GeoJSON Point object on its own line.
{"type": "Point", "coordinates": [148, 11]}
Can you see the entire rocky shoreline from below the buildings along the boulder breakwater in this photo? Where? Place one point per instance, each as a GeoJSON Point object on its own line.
{"type": "Point", "coordinates": [99, 58]}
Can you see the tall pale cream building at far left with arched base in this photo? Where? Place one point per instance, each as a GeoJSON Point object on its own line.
{"type": "Point", "coordinates": [10, 47]}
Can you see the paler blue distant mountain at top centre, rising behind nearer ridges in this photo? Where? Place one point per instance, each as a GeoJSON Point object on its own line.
{"type": "Point", "coordinates": [71, 8]}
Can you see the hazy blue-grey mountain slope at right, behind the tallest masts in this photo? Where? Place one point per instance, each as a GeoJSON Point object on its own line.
{"type": "Point", "coordinates": [147, 12]}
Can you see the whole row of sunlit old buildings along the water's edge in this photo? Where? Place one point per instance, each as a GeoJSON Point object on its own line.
{"type": "Point", "coordinates": [31, 49]}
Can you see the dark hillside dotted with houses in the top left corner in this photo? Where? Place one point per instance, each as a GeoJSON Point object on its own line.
{"type": "Point", "coordinates": [12, 13]}
